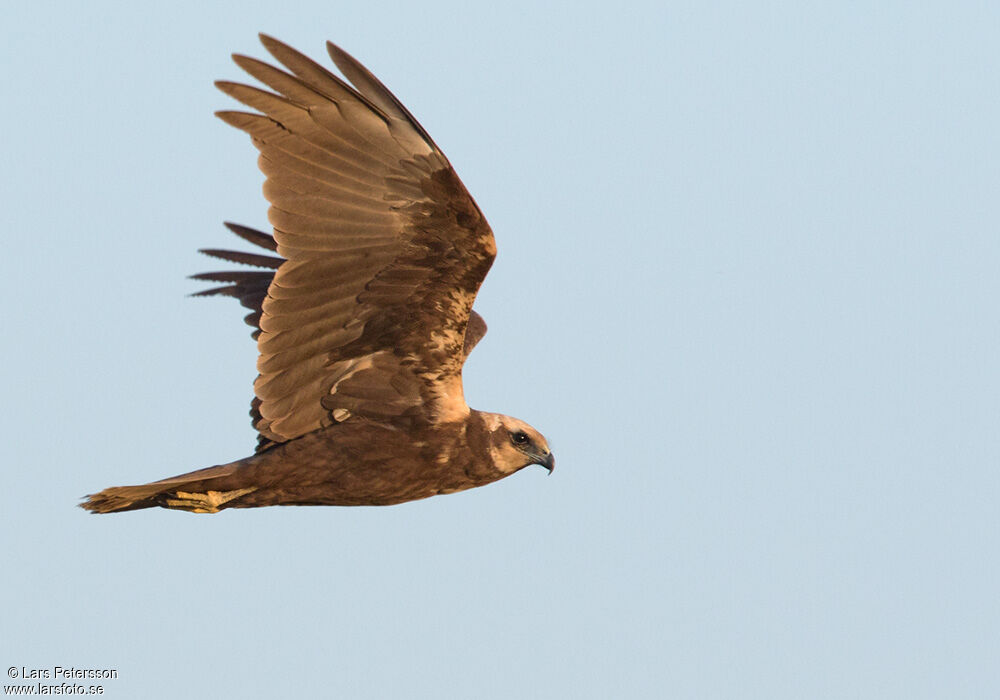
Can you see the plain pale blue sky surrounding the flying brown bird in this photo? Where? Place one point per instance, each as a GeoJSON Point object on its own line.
{"type": "Point", "coordinates": [747, 286]}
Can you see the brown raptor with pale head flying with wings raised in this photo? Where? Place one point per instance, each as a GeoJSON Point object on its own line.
{"type": "Point", "coordinates": [362, 308]}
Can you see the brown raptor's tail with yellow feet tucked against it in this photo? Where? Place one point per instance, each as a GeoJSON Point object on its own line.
{"type": "Point", "coordinates": [202, 491]}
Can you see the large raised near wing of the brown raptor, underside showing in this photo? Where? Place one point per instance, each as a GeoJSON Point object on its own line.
{"type": "Point", "coordinates": [382, 252]}
